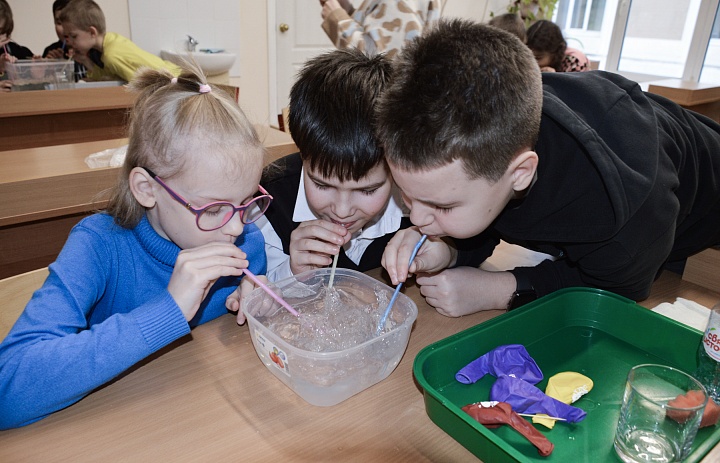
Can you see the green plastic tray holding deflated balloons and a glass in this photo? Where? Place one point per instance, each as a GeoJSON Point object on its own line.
{"type": "Point", "coordinates": [590, 331]}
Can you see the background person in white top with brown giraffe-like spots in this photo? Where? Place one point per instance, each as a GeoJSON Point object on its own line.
{"type": "Point", "coordinates": [378, 26]}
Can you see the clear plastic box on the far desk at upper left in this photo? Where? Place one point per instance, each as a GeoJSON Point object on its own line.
{"type": "Point", "coordinates": [43, 74]}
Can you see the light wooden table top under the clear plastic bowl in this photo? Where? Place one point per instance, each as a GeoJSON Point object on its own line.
{"type": "Point", "coordinates": [208, 397]}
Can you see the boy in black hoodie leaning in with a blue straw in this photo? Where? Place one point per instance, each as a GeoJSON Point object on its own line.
{"type": "Point", "coordinates": [614, 183]}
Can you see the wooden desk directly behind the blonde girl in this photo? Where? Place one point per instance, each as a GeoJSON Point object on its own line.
{"type": "Point", "coordinates": [46, 191]}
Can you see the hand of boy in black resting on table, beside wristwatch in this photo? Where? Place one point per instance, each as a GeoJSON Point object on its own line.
{"type": "Point", "coordinates": [464, 290]}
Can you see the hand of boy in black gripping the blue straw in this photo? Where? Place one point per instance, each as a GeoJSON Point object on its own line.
{"type": "Point", "coordinates": [433, 256]}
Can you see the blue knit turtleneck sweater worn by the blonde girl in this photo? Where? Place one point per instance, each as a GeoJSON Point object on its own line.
{"type": "Point", "coordinates": [104, 307]}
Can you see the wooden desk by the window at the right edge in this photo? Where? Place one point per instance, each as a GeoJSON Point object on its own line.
{"type": "Point", "coordinates": [703, 98]}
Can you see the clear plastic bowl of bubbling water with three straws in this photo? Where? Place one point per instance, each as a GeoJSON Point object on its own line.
{"type": "Point", "coordinates": [329, 377]}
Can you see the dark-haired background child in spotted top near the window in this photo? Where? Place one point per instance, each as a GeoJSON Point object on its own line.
{"type": "Point", "coordinates": [547, 43]}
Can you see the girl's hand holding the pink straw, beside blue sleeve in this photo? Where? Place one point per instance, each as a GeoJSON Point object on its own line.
{"type": "Point", "coordinates": [197, 269]}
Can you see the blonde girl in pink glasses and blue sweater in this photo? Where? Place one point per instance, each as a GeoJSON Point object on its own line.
{"type": "Point", "coordinates": [166, 255]}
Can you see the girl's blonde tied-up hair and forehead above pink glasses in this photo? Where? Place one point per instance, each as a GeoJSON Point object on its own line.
{"type": "Point", "coordinates": [169, 113]}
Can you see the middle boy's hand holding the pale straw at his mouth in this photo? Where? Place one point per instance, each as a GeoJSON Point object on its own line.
{"type": "Point", "coordinates": [313, 243]}
